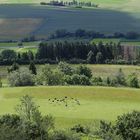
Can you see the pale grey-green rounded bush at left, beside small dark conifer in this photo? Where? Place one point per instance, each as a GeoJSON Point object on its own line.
{"type": "Point", "coordinates": [22, 77]}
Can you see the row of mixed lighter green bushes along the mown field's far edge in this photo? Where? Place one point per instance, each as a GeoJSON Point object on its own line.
{"type": "Point", "coordinates": [64, 74]}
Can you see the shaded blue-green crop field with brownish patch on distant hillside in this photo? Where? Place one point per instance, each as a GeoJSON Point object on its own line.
{"type": "Point", "coordinates": [43, 20]}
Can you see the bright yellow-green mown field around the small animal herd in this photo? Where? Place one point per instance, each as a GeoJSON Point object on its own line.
{"type": "Point", "coordinates": [96, 103]}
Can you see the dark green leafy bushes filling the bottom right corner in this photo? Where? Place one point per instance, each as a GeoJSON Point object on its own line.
{"type": "Point", "coordinates": [127, 127]}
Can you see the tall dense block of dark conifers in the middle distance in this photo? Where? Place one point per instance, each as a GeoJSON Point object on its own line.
{"type": "Point", "coordinates": [76, 50]}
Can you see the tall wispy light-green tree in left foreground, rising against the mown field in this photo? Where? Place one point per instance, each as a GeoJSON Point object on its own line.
{"type": "Point", "coordinates": [34, 125]}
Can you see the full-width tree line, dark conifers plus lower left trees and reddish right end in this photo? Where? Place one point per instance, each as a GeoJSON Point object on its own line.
{"type": "Point", "coordinates": [74, 52]}
